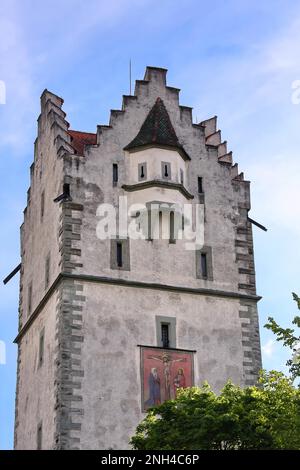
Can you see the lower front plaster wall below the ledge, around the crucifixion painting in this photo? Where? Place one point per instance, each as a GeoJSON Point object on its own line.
{"type": "Point", "coordinates": [116, 320]}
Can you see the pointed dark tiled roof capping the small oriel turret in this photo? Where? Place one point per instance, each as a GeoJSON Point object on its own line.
{"type": "Point", "coordinates": [157, 130]}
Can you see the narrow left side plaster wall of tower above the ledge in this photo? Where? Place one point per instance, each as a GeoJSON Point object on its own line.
{"type": "Point", "coordinates": [40, 237]}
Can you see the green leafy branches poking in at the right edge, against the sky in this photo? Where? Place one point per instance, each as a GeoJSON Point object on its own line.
{"type": "Point", "coordinates": [289, 338]}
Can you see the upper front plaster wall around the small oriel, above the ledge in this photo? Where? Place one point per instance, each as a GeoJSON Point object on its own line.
{"type": "Point", "coordinates": [171, 264]}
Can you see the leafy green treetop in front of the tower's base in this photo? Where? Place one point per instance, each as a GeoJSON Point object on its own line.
{"type": "Point", "coordinates": [263, 417]}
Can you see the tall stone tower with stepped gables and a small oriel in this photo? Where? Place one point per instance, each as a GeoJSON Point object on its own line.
{"type": "Point", "coordinates": [110, 325]}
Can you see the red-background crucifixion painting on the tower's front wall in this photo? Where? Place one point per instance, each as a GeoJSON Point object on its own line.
{"type": "Point", "coordinates": [163, 372]}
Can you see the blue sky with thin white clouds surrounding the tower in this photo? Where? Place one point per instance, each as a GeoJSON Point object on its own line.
{"type": "Point", "coordinates": [236, 59]}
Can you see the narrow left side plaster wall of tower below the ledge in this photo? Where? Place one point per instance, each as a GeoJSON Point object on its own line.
{"type": "Point", "coordinates": [36, 398]}
